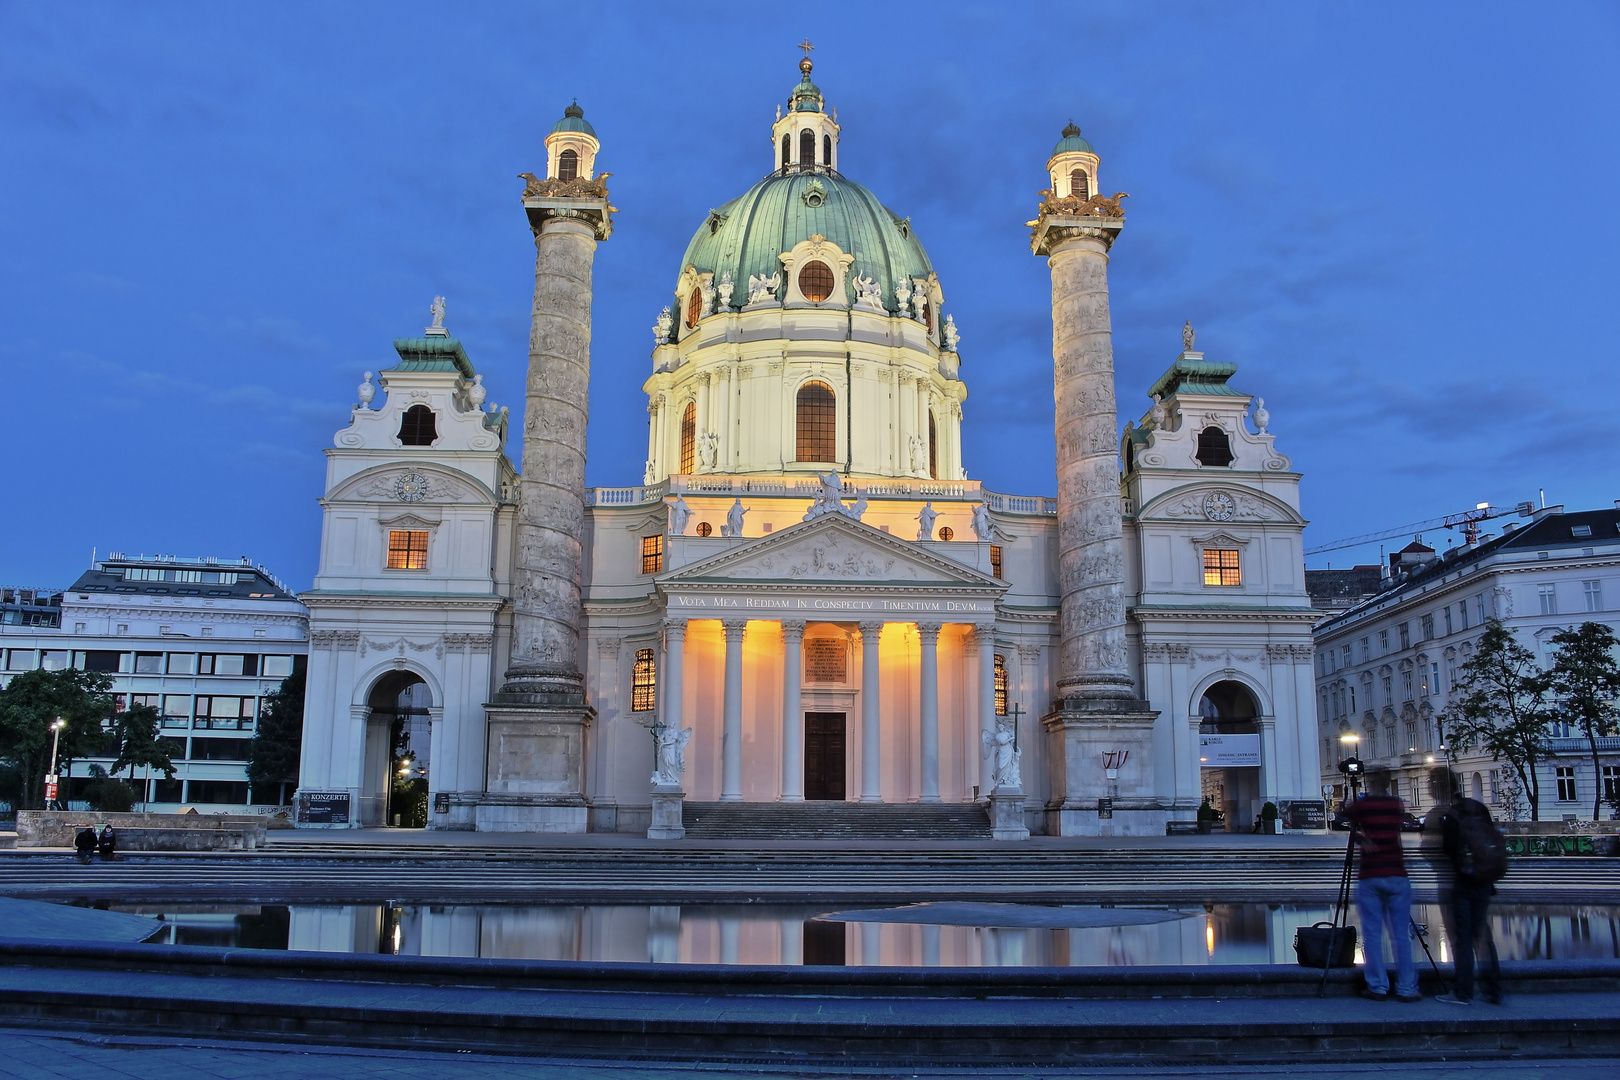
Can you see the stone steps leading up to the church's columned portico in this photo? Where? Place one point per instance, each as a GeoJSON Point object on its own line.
{"type": "Point", "coordinates": [837, 822]}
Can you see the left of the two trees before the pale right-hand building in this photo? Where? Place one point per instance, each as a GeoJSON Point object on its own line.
{"type": "Point", "coordinates": [1503, 707]}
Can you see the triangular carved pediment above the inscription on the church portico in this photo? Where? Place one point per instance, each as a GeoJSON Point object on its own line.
{"type": "Point", "coordinates": [833, 550]}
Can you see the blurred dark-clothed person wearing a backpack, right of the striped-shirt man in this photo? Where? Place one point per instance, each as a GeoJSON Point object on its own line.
{"type": "Point", "coordinates": [1470, 857]}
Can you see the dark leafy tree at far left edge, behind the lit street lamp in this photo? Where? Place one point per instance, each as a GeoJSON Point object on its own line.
{"type": "Point", "coordinates": [28, 707]}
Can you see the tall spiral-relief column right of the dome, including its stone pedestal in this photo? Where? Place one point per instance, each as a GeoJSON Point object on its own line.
{"type": "Point", "coordinates": [1099, 718]}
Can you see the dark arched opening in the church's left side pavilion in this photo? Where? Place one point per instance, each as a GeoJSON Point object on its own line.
{"type": "Point", "coordinates": [398, 747]}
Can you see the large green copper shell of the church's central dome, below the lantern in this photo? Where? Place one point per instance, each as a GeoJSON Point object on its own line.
{"type": "Point", "coordinates": [749, 236]}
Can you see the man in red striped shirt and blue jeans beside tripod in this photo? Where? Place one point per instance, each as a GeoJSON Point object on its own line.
{"type": "Point", "coordinates": [1384, 896]}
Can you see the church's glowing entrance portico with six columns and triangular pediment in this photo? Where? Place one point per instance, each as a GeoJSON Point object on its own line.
{"type": "Point", "coordinates": [889, 648]}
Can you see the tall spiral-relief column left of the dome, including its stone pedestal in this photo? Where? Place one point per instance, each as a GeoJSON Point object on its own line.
{"type": "Point", "coordinates": [539, 718]}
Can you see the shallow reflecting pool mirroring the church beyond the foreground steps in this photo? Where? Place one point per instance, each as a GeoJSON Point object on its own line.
{"type": "Point", "coordinates": [919, 935]}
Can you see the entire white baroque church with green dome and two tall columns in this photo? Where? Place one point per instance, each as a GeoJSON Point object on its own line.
{"type": "Point", "coordinates": [806, 598]}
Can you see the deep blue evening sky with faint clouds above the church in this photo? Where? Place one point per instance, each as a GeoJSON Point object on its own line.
{"type": "Point", "coordinates": [1397, 219]}
